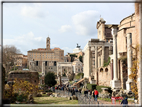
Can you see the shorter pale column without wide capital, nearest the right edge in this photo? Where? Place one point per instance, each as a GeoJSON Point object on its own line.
{"type": "Point", "coordinates": [129, 60]}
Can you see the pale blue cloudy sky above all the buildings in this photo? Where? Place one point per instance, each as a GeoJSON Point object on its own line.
{"type": "Point", "coordinates": [27, 25]}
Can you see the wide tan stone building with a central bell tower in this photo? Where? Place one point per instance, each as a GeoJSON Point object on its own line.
{"type": "Point", "coordinates": [44, 60]}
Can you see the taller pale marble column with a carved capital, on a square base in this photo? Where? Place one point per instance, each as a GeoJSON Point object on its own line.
{"type": "Point", "coordinates": [115, 83]}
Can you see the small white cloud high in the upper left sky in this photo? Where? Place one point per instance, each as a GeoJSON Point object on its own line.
{"type": "Point", "coordinates": [33, 11]}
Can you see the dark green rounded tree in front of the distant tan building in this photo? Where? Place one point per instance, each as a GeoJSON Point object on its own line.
{"type": "Point", "coordinates": [50, 79]}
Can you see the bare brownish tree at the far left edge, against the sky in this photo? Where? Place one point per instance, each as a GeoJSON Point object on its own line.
{"type": "Point", "coordinates": [8, 56]}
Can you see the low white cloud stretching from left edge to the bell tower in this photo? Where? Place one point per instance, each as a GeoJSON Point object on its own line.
{"type": "Point", "coordinates": [26, 42]}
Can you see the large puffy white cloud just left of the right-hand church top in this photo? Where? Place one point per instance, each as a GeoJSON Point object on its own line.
{"type": "Point", "coordinates": [85, 22]}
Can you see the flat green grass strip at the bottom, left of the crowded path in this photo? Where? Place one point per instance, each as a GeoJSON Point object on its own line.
{"type": "Point", "coordinates": [54, 100]}
